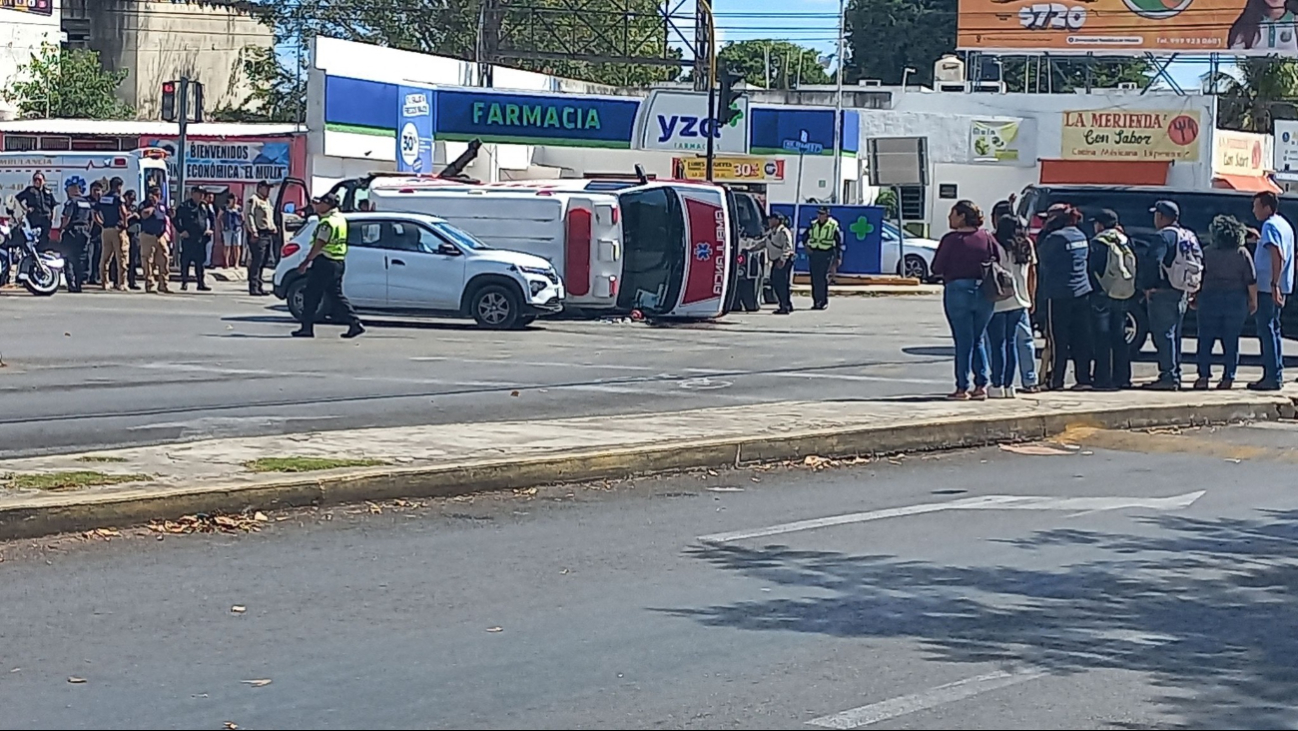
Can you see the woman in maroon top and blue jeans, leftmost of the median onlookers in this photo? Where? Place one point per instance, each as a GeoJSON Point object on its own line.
{"type": "Point", "coordinates": [960, 259]}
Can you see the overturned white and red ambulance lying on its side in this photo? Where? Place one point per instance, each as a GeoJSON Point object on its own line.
{"type": "Point", "coordinates": [664, 249]}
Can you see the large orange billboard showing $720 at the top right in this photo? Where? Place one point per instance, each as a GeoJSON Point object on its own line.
{"type": "Point", "coordinates": [1135, 28]}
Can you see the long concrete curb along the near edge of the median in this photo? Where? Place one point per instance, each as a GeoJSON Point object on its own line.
{"type": "Point", "coordinates": [81, 514]}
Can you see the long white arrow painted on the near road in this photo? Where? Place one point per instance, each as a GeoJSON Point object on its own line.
{"type": "Point", "coordinates": [987, 503]}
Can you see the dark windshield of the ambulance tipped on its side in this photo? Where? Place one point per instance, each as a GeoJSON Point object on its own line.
{"type": "Point", "coordinates": [655, 236]}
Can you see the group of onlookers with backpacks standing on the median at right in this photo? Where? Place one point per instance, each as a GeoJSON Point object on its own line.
{"type": "Point", "coordinates": [1090, 276]}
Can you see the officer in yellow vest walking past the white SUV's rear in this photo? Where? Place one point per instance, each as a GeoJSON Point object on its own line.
{"type": "Point", "coordinates": [324, 268]}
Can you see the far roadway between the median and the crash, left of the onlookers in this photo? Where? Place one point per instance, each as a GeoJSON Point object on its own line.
{"type": "Point", "coordinates": [124, 369]}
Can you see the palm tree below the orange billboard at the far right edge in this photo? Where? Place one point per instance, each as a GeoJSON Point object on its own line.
{"type": "Point", "coordinates": [1256, 94]}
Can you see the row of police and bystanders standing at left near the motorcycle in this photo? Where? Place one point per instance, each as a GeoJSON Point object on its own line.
{"type": "Point", "coordinates": [111, 240]}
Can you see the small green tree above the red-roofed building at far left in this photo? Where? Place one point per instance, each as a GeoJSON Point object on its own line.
{"type": "Point", "coordinates": [59, 84]}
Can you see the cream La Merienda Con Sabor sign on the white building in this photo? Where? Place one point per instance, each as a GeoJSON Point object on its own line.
{"type": "Point", "coordinates": [1131, 134]}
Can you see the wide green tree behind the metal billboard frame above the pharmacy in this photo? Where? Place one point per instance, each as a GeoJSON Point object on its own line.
{"type": "Point", "coordinates": [451, 28]}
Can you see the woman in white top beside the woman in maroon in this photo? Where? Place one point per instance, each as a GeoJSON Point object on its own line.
{"type": "Point", "coordinates": [1012, 315]}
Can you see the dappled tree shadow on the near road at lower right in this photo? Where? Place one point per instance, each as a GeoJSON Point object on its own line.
{"type": "Point", "coordinates": [1206, 610]}
